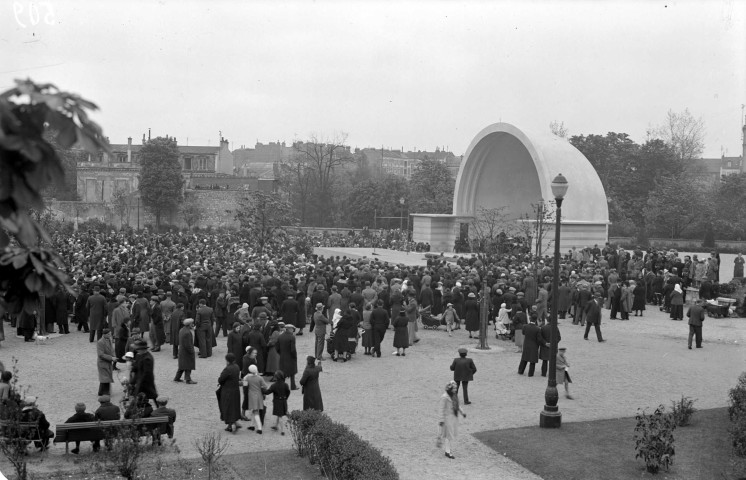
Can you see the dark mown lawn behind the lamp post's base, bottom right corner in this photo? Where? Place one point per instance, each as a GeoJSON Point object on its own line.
{"type": "Point", "coordinates": [606, 449]}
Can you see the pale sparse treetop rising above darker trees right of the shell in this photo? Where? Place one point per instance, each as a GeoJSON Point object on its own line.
{"type": "Point", "coordinates": [684, 133]}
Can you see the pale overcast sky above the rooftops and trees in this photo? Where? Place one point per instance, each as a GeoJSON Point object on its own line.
{"type": "Point", "coordinates": [413, 74]}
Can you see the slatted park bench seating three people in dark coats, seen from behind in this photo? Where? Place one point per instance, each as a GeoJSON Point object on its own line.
{"type": "Point", "coordinates": [92, 431]}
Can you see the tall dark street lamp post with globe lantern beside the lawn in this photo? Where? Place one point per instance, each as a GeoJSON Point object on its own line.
{"type": "Point", "coordinates": [551, 417]}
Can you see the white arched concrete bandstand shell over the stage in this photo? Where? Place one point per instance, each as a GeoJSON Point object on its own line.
{"type": "Point", "coordinates": [511, 167]}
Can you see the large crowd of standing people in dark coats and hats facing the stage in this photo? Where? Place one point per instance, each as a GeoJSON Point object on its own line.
{"type": "Point", "coordinates": [135, 293]}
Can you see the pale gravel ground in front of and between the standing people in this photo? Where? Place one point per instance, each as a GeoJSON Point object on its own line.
{"type": "Point", "coordinates": [392, 401]}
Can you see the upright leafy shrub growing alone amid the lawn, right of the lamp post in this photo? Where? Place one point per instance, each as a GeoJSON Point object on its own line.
{"type": "Point", "coordinates": [654, 438]}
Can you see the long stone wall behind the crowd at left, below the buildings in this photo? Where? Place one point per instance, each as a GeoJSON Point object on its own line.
{"type": "Point", "coordinates": [219, 209]}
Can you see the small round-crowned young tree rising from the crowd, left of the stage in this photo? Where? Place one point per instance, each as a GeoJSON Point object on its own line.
{"type": "Point", "coordinates": [263, 215]}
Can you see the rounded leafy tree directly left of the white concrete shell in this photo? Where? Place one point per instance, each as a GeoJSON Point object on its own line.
{"type": "Point", "coordinates": [431, 188]}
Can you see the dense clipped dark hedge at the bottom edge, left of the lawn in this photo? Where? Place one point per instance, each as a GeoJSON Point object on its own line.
{"type": "Point", "coordinates": [340, 453]}
